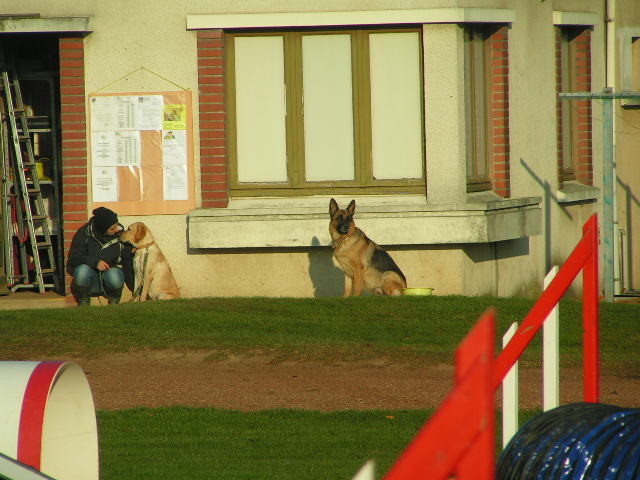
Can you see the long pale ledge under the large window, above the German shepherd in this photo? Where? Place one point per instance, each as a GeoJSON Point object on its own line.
{"type": "Point", "coordinates": [406, 220]}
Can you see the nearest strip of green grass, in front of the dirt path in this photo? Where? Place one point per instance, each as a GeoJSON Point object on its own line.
{"type": "Point", "coordinates": [201, 443]}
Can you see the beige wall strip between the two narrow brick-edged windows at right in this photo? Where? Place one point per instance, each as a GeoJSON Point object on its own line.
{"type": "Point", "coordinates": [532, 129]}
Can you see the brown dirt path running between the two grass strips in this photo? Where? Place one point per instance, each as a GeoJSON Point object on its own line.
{"type": "Point", "coordinates": [200, 379]}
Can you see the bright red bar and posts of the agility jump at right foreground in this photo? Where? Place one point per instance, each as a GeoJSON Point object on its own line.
{"type": "Point", "coordinates": [458, 440]}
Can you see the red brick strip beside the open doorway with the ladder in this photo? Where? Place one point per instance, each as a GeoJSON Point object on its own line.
{"type": "Point", "coordinates": [74, 141]}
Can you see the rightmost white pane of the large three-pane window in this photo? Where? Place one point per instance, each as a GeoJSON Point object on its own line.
{"type": "Point", "coordinates": [396, 99]}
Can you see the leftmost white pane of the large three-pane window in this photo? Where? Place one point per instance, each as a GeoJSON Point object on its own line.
{"type": "Point", "coordinates": [260, 109]}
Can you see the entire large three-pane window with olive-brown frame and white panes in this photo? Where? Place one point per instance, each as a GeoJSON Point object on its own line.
{"type": "Point", "coordinates": [326, 111]}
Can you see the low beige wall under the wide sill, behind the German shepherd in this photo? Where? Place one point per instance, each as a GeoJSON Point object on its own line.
{"type": "Point", "coordinates": [300, 272]}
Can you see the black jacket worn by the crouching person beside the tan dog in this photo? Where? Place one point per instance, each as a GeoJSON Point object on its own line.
{"type": "Point", "coordinates": [89, 248]}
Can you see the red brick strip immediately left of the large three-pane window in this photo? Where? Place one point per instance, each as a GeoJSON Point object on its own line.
{"type": "Point", "coordinates": [213, 151]}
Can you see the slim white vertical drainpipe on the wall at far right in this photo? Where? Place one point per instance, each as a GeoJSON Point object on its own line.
{"type": "Point", "coordinates": [610, 83]}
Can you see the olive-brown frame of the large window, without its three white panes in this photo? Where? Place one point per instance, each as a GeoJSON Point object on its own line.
{"type": "Point", "coordinates": [363, 182]}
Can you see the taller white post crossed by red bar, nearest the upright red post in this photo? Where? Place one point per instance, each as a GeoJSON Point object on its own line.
{"type": "Point", "coordinates": [551, 353]}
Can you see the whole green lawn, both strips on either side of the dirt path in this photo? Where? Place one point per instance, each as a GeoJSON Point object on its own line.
{"type": "Point", "coordinates": [203, 443]}
